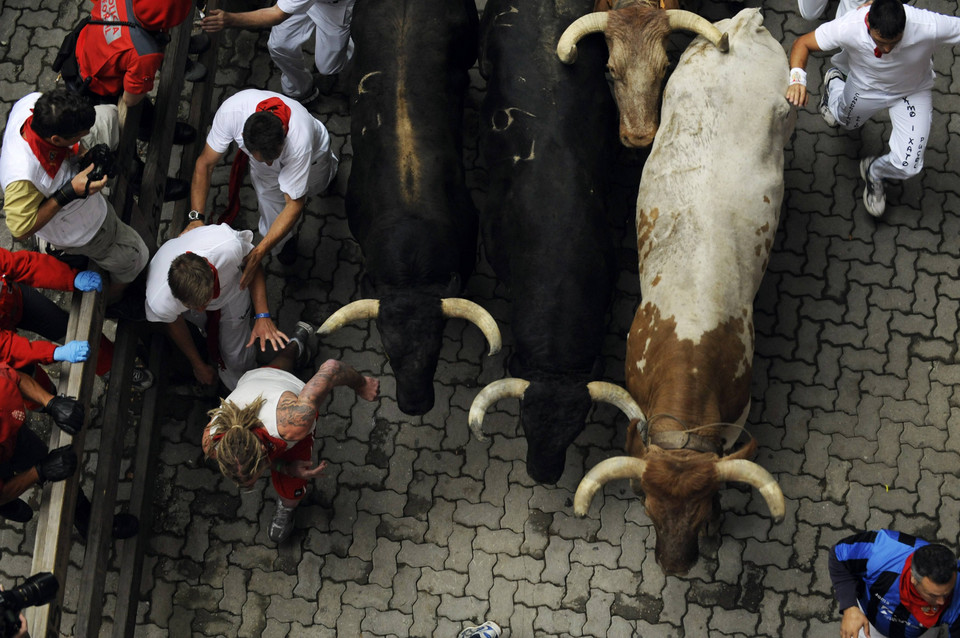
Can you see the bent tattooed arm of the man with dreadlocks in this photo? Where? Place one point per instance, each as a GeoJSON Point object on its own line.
{"type": "Point", "coordinates": [296, 415]}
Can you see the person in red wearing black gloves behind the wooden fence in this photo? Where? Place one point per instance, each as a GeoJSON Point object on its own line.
{"type": "Point", "coordinates": [25, 460]}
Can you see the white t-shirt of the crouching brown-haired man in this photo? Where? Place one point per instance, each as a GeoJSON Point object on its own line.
{"type": "Point", "coordinates": [222, 246]}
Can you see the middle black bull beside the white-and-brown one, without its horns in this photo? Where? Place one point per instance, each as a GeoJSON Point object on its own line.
{"type": "Point", "coordinates": [547, 136]}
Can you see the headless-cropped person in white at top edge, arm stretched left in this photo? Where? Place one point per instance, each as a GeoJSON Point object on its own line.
{"type": "Point", "coordinates": [294, 23]}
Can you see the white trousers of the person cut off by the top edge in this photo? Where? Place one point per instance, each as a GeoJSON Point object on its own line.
{"type": "Point", "coordinates": [332, 49]}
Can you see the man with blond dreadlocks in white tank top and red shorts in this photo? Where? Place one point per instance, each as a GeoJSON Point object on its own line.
{"type": "Point", "coordinates": [268, 423]}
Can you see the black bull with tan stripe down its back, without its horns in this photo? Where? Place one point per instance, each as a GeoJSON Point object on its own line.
{"type": "Point", "coordinates": [407, 202]}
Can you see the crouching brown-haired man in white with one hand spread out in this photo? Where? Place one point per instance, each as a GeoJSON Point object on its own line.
{"type": "Point", "coordinates": [217, 281]}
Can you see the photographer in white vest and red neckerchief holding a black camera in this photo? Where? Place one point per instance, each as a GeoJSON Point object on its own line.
{"type": "Point", "coordinates": [47, 192]}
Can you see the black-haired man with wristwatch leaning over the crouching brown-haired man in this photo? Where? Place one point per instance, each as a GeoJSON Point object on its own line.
{"type": "Point", "coordinates": [301, 164]}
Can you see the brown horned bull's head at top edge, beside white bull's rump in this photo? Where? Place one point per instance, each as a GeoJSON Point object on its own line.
{"type": "Point", "coordinates": [636, 31]}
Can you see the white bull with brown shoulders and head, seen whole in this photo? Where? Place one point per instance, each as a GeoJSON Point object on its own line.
{"type": "Point", "coordinates": [707, 213]}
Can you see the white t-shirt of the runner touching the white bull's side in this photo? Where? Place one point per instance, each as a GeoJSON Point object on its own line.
{"type": "Point", "coordinates": [905, 70]}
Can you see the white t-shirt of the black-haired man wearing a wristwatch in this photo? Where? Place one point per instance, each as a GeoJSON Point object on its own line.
{"type": "Point", "coordinates": [307, 139]}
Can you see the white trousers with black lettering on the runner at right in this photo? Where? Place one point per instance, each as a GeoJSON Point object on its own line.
{"type": "Point", "coordinates": [910, 117]}
